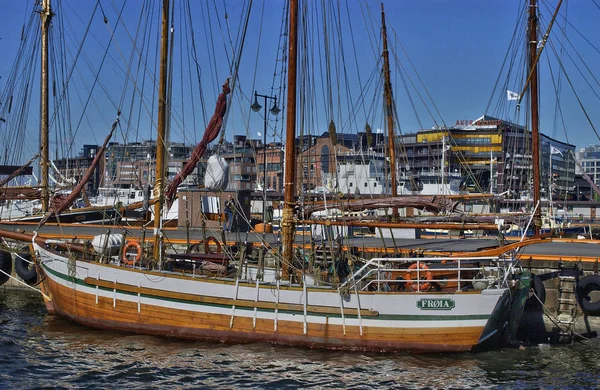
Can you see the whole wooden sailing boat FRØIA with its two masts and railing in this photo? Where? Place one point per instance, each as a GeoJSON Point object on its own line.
{"type": "Point", "coordinates": [366, 310]}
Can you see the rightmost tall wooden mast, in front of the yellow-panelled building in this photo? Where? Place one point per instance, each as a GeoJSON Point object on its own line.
{"type": "Point", "coordinates": [535, 136]}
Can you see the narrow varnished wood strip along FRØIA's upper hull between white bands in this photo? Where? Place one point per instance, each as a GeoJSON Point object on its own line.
{"type": "Point", "coordinates": [227, 301]}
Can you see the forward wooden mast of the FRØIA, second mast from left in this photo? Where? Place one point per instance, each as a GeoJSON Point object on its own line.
{"type": "Point", "coordinates": [161, 132]}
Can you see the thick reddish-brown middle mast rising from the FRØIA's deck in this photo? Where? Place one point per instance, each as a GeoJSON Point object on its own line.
{"type": "Point", "coordinates": [287, 217]}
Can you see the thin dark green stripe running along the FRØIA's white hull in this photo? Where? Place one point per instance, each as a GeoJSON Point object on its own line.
{"type": "Point", "coordinates": [381, 317]}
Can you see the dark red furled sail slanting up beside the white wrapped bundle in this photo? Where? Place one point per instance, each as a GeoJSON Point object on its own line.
{"type": "Point", "coordinates": [211, 132]}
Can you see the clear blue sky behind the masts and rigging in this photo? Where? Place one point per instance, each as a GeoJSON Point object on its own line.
{"type": "Point", "coordinates": [456, 47]}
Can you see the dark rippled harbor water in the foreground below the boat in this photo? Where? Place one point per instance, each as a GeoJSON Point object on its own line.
{"type": "Point", "coordinates": [42, 351]}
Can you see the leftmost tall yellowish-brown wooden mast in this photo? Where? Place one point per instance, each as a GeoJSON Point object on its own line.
{"type": "Point", "coordinates": [45, 17]}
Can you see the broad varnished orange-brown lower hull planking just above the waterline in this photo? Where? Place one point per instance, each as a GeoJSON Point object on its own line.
{"type": "Point", "coordinates": [79, 304]}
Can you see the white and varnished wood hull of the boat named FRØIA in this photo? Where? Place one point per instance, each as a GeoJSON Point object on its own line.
{"type": "Point", "coordinates": [125, 299]}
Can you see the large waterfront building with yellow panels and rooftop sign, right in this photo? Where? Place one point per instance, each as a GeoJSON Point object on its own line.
{"type": "Point", "coordinates": [488, 155]}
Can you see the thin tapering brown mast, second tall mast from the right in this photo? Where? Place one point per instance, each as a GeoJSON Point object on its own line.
{"type": "Point", "coordinates": [389, 110]}
